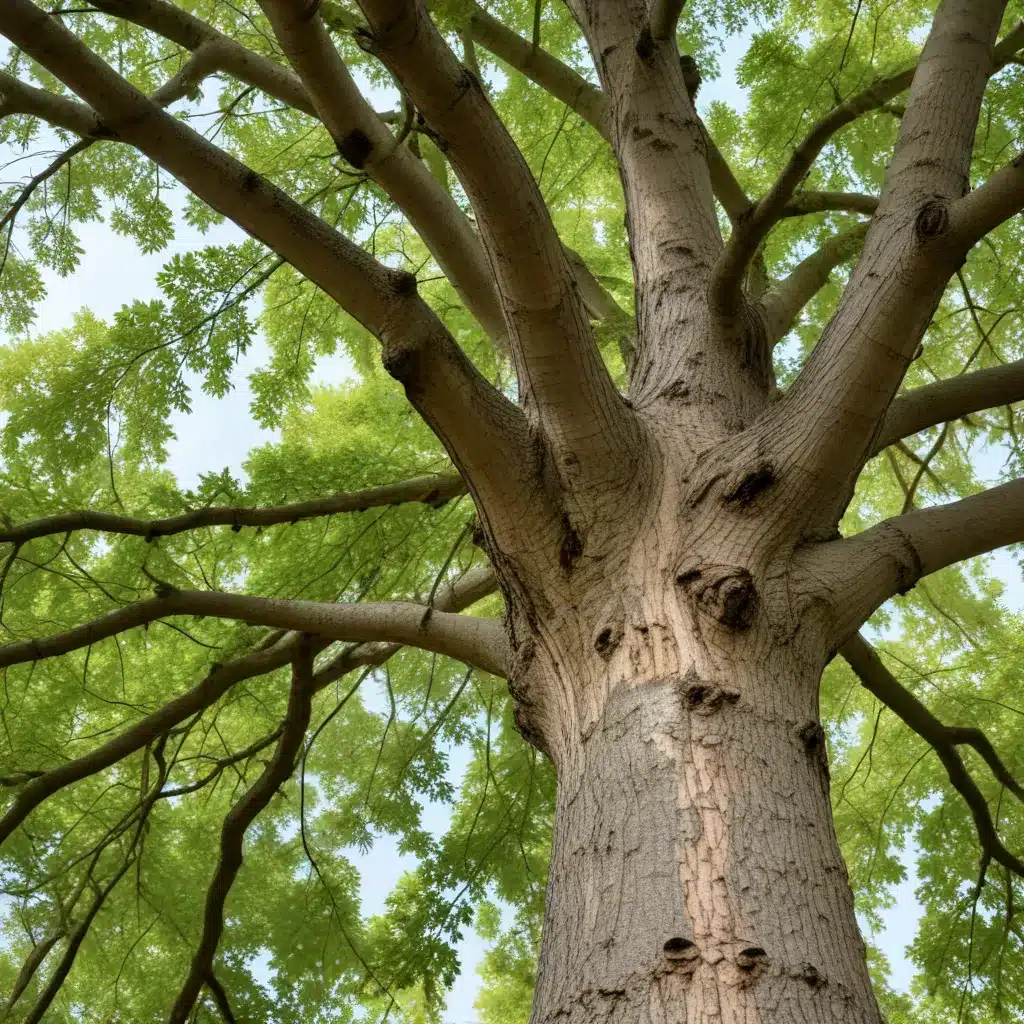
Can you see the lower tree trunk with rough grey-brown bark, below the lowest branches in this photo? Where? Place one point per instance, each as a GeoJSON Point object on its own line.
{"type": "Point", "coordinates": [696, 875]}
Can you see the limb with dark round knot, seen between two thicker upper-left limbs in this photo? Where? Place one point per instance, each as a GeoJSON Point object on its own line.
{"type": "Point", "coordinates": [365, 142]}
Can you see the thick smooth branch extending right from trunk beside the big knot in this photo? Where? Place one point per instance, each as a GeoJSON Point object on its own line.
{"type": "Point", "coordinates": [865, 571]}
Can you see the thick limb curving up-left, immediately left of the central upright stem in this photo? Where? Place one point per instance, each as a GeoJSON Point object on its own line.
{"type": "Point", "coordinates": [562, 375]}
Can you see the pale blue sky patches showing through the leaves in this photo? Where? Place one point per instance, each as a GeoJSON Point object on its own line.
{"type": "Point", "coordinates": [220, 434]}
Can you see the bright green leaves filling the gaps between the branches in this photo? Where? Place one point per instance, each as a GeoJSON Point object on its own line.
{"type": "Point", "coordinates": [86, 421]}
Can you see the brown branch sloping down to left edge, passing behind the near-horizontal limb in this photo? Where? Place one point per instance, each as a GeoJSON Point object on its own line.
{"type": "Point", "coordinates": [463, 593]}
